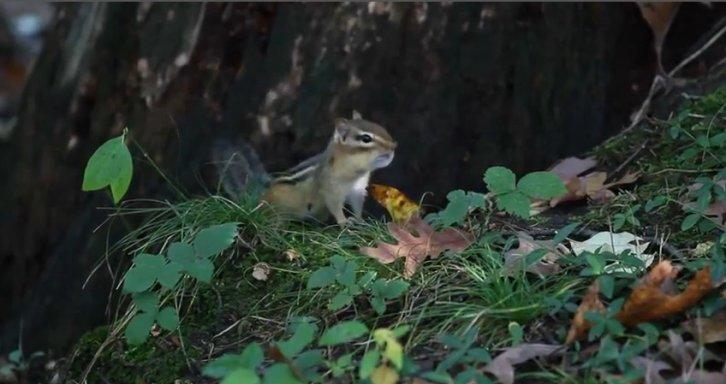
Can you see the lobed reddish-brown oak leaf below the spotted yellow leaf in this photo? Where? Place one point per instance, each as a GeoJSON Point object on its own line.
{"type": "Point", "coordinates": [414, 248]}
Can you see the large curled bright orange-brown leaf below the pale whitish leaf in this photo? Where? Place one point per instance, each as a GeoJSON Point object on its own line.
{"type": "Point", "coordinates": [648, 302]}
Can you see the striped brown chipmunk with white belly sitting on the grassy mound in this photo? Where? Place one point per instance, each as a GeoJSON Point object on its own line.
{"type": "Point", "coordinates": [321, 185]}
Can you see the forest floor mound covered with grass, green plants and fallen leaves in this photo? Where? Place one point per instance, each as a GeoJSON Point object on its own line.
{"type": "Point", "coordinates": [301, 302]}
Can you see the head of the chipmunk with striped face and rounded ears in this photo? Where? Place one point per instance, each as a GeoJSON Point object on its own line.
{"type": "Point", "coordinates": [365, 142]}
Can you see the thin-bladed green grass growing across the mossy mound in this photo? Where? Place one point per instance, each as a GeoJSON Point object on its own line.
{"type": "Point", "coordinates": [450, 294]}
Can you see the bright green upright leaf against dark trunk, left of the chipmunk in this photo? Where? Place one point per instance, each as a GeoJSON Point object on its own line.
{"type": "Point", "coordinates": [110, 165]}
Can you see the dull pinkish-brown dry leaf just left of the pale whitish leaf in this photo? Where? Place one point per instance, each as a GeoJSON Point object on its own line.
{"type": "Point", "coordinates": [546, 266]}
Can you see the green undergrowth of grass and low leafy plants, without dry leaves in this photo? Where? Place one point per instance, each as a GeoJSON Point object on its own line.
{"type": "Point", "coordinates": [281, 289]}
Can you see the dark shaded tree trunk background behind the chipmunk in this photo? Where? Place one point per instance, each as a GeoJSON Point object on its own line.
{"type": "Point", "coordinates": [461, 86]}
